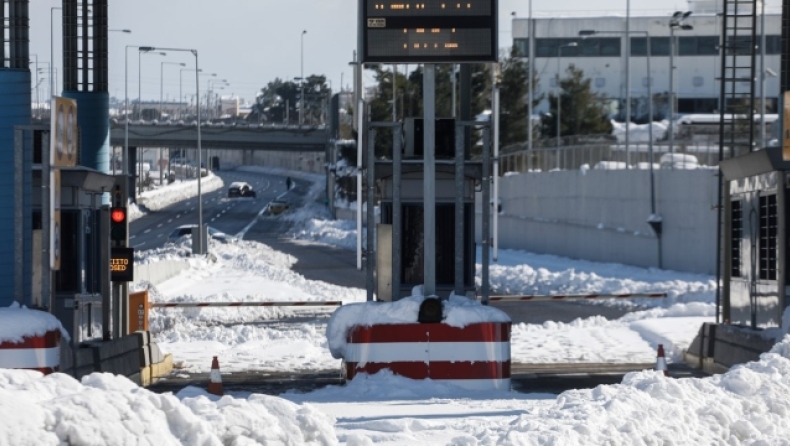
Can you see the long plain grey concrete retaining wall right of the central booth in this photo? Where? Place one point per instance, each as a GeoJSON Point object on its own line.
{"type": "Point", "coordinates": [602, 216]}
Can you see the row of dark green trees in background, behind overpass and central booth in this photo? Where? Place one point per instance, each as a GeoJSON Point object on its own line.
{"type": "Point", "coordinates": [583, 111]}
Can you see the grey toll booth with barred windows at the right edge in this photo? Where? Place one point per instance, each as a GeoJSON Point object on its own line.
{"type": "Point", "coordinates": [756, 262]}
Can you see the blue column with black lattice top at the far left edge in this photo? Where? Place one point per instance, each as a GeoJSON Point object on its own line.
{"type": "Point", "coordinates": [15, 105]}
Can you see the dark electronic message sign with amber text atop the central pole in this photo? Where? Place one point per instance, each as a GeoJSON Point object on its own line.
{"type": "Point", "coordinates": [428, 31]}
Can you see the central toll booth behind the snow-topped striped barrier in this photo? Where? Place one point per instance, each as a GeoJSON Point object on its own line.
{"type": "Point", "coordinates": [399, 177]}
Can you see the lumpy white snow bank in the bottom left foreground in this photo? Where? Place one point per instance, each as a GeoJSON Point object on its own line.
{"type": "Point", "coordinates": [107, 409]}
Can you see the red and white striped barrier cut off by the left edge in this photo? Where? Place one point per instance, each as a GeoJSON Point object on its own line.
{"type": "Point", "coordinates": [40, 353]}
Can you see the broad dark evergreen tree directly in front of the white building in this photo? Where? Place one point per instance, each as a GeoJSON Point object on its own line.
{"type": "Point", "coordinates": [583, 111]}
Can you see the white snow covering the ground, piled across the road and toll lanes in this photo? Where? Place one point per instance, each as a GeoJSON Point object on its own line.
{"type": "Point", "coordinates": [748, 405]}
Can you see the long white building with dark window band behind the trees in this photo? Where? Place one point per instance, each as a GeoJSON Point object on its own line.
{"type": "Point", "coordinates": [560, 42]}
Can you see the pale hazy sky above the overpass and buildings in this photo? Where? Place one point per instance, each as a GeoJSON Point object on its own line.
{"type": "Point", "coordinates": [250, 42]}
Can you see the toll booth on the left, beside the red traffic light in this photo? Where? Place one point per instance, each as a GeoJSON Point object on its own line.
{"type": "Point", "coordinates": [70, 253]}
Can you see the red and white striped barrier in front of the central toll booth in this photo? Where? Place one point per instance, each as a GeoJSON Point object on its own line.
{"type": "Point", "coordinates": [474, 357]}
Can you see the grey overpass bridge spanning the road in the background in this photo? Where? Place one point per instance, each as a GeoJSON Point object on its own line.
{"type": "Point", "coordinates": [222, 136]}
